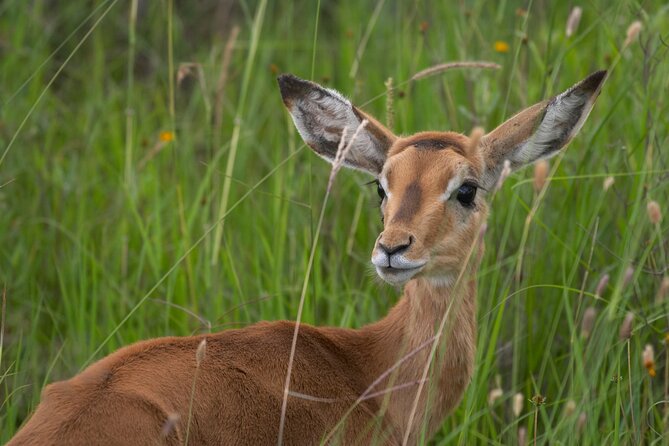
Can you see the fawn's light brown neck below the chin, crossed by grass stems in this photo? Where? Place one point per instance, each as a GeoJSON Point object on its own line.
{"type": "Point", "coordinates": [405, 336]}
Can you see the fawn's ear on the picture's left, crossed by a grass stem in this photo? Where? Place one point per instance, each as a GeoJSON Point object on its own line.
{"type": "Point", "coordinates": [321, 114]}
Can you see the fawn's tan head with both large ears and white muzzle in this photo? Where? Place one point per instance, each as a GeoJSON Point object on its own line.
{"type": "Point", "coordinates": [433, 185]}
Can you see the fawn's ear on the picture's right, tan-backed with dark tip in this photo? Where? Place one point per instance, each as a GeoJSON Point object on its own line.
{"type": "Point", "coordinates": [541, 130]}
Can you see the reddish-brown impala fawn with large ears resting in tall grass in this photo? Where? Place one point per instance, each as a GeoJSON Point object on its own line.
{"type": "Point", "coordinates": [385, 382]}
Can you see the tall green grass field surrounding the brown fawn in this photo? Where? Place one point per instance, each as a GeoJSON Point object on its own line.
{"type": "Point", "coordinates": [151, 184]}
